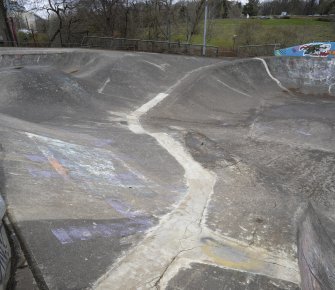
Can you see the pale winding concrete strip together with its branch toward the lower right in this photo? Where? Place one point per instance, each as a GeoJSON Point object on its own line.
{"type": "Point", "coordinates": [182, 229]}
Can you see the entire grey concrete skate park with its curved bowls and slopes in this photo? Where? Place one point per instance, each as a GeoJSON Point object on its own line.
{"type": "Point", "coordinates": [149, 171]}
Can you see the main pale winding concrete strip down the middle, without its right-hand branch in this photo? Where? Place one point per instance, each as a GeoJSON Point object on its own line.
{"type": "Point", "coordinates": [124, 273]}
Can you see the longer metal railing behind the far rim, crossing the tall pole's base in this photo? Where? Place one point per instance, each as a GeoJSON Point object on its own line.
{"type": "Point", "coordinates": [148, 46]}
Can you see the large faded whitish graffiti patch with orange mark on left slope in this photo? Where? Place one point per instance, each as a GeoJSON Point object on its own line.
{"type": "Point", "coordinates": [82, 163]}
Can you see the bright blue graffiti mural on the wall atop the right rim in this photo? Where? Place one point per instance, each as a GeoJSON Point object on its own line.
{"type": "Point", "coordinates": [313, 49]}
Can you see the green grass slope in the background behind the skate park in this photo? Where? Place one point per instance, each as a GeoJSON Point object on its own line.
{"type": "Point", "coordinates": [284, 31]}
